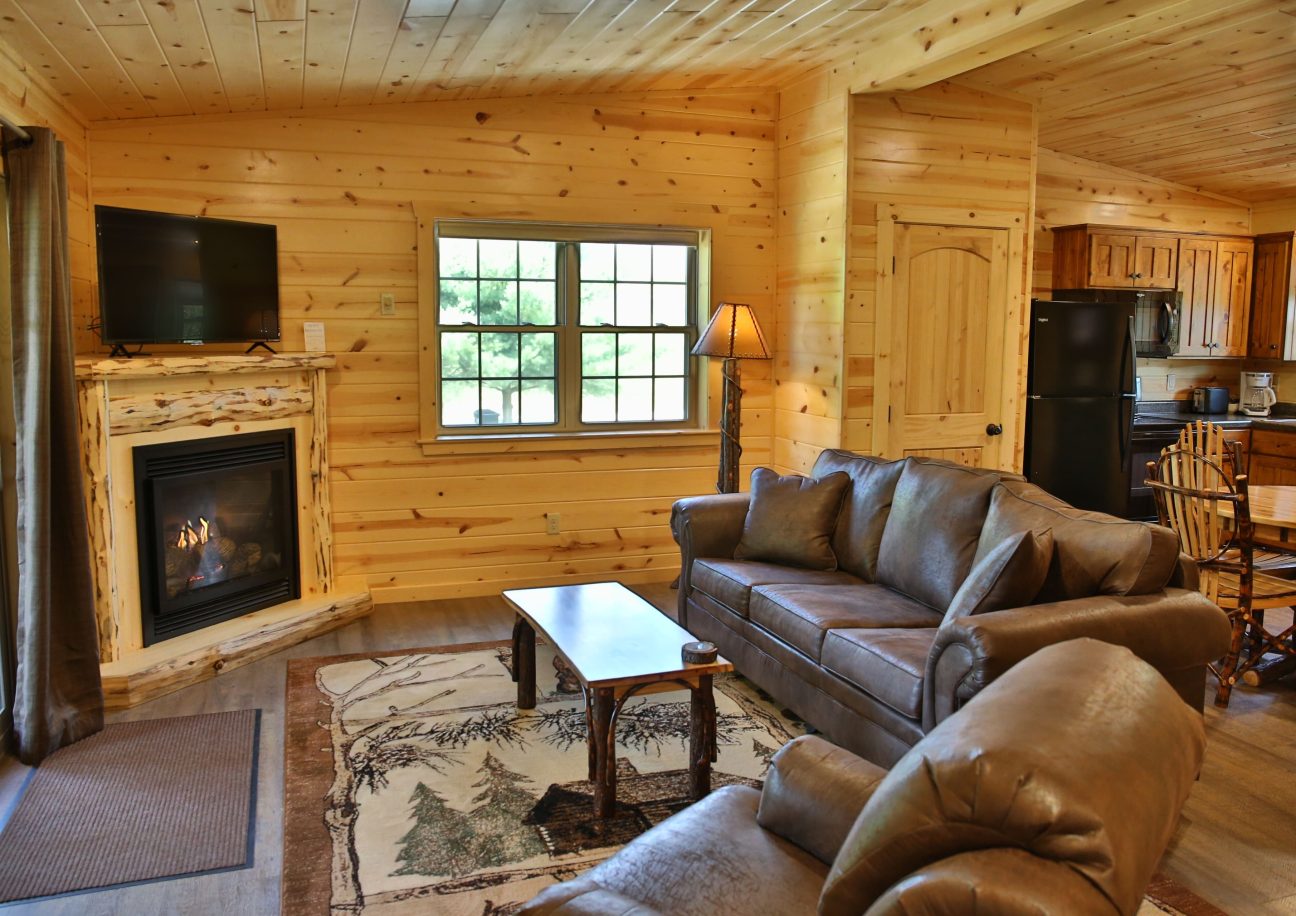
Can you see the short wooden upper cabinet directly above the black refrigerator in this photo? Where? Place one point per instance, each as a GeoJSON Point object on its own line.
{"type": "Point", "coordinates": [1094, 257]}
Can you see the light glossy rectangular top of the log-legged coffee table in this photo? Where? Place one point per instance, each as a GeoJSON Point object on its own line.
{"type": "Point", "coordinates": [610, 635]}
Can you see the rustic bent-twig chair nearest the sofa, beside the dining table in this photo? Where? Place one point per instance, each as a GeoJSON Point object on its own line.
{"type": "Point", "coordinates": [1190, 490]}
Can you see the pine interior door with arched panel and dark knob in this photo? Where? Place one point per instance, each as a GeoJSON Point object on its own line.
{"type": "Point", "coordinates": [949, 315]}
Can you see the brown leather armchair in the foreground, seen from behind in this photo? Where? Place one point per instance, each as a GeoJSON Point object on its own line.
{"type": "Point", "coordinates": [1036, 799]}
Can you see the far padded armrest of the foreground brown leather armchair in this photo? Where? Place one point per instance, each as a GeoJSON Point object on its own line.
{"type": "Point", "coordinates": [813, 795]}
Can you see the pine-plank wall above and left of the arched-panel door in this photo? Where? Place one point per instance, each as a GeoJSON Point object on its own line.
{"type": "Point", "coordinates": [947, 146]}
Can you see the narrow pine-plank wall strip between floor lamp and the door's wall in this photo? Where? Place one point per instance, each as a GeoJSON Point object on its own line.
{"type": "Point", "coordinates": [808, 395]}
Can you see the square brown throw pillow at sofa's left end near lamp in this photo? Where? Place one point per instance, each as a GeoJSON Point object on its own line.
{"type": "Point", "coordinates": [791, 520]}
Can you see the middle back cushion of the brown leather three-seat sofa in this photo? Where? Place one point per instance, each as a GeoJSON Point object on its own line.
{"type": "Point", "coordinates": [934, 529]}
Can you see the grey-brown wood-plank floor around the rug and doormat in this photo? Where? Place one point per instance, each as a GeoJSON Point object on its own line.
{"type": "Point", "coordinates": [1236, 845]}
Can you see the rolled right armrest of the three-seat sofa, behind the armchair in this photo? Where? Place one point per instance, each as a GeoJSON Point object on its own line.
{"type": "Point", "coordinates": [1172, 630]}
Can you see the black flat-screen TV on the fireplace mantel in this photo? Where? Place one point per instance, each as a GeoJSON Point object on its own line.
{"type": "Point", "coordinates": [169, 279]}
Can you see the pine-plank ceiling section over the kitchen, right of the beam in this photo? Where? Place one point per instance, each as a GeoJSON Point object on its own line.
{"type": "Point", "coordinates": [1203, 93]}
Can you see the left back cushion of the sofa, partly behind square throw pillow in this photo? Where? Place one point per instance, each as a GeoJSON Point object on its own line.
{"type": "Point", "coordinates": [864, 511]}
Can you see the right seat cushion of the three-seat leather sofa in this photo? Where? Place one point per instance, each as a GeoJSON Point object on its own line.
{"type": "Point", "coordinates": [886, 664]}
